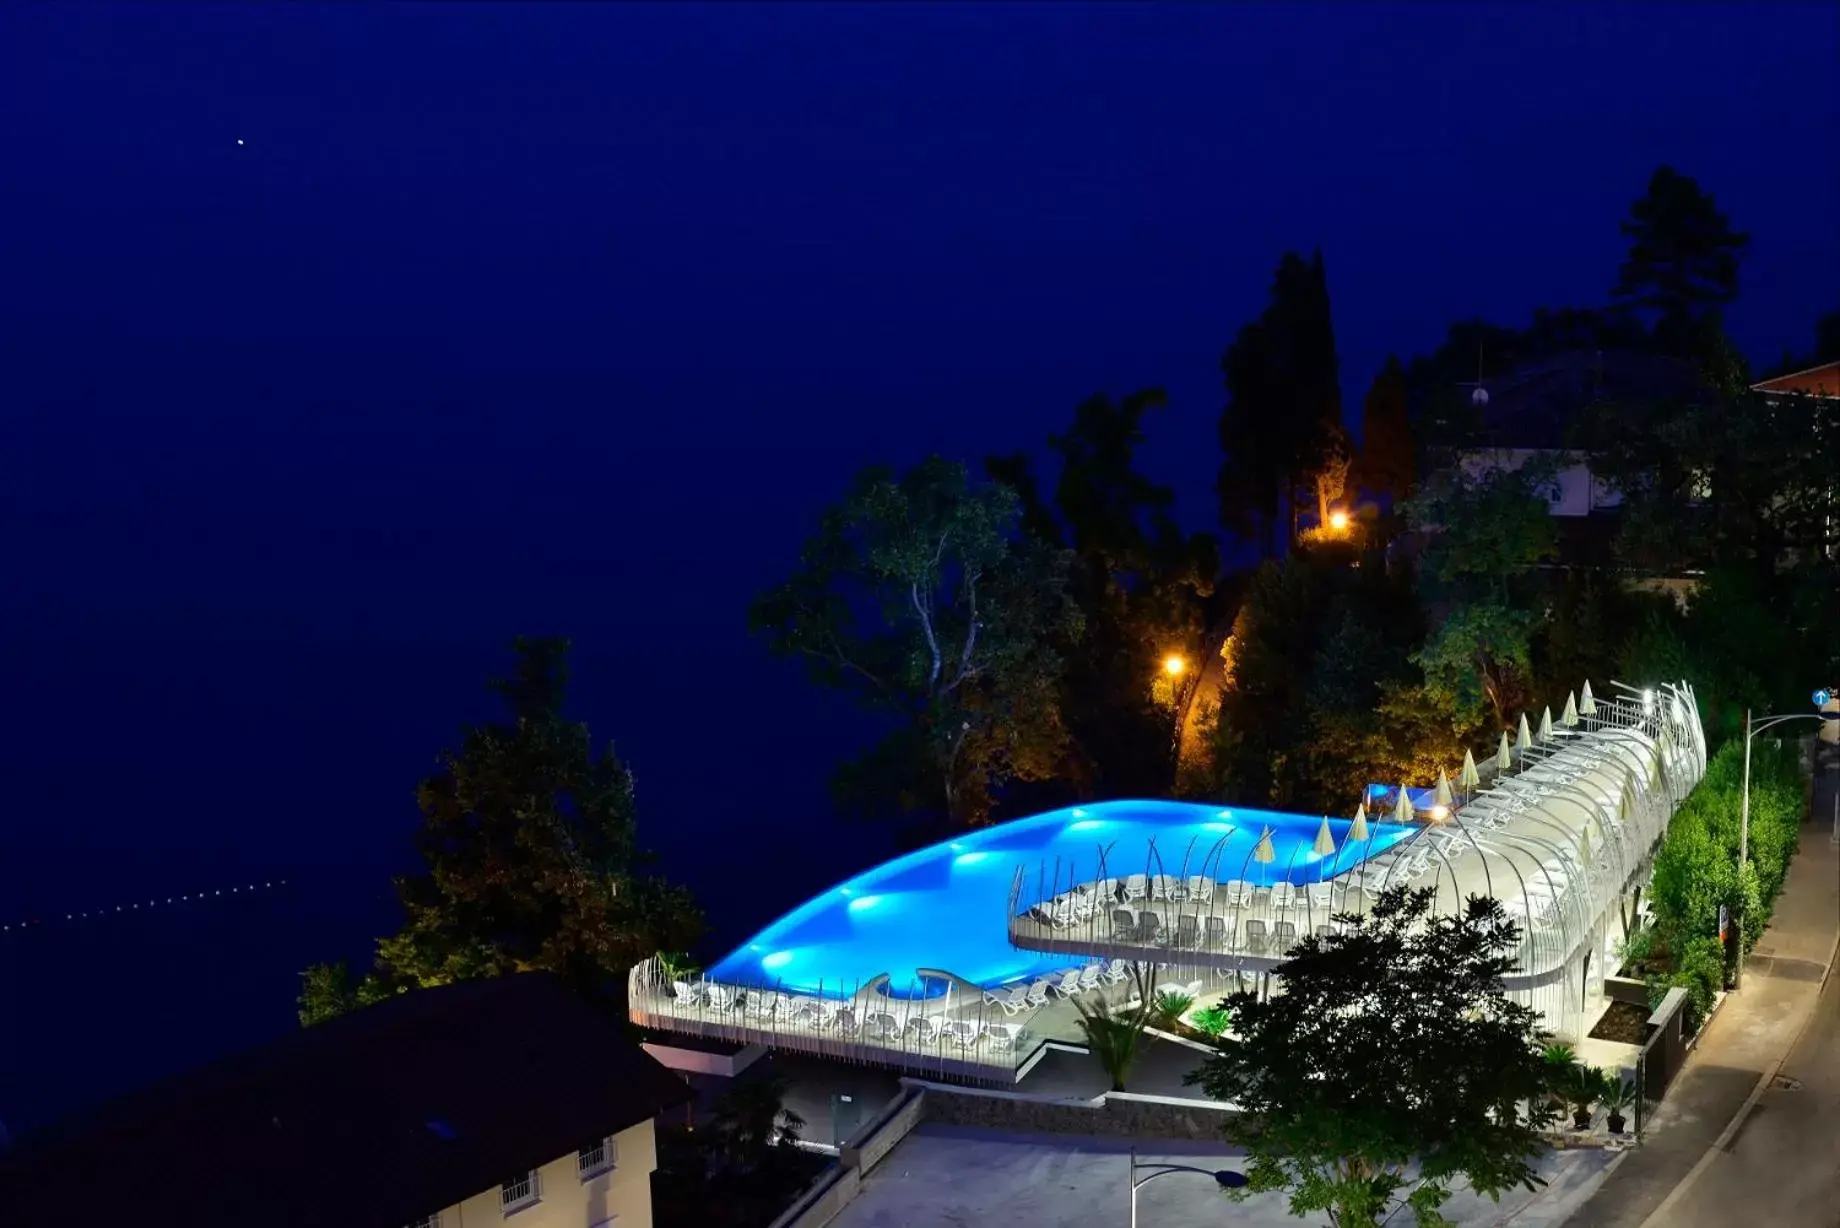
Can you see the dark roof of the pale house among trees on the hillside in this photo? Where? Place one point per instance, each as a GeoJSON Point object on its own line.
{"type": "Point", "coordinates": [1535, 406]}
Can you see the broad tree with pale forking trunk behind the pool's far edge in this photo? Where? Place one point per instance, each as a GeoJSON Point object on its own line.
{"type": "Point", "coordinates": [923, 601]}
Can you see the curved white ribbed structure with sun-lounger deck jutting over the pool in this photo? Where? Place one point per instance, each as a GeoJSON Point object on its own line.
{"type": "Point", "coordinates": [1563, 844]}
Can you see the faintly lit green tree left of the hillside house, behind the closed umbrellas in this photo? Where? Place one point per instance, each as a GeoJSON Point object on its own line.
{"type": "Point", "coordinates": [1484, 537]}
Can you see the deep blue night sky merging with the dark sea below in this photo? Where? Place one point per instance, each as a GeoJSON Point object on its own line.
{"type": "Point", "coordinates": [339, 345]}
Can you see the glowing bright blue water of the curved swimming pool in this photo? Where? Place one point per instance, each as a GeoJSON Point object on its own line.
{"type": "Point", "coordinates": [945, 907]}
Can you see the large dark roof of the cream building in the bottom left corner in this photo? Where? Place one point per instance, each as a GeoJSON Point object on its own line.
{"type": "Point", "coordinates": [332, 1126]}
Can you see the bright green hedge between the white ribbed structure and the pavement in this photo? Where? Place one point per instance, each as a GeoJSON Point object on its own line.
{"type": "Point", "coordinates": [1697, 866]}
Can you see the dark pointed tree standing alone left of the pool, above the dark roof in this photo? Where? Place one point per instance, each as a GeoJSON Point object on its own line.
{"type": "Point", "coordinates": [531, 859]}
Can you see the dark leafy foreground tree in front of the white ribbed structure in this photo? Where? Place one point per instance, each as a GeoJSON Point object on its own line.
{"type": "Point", "coordinates": [1392, 1067]}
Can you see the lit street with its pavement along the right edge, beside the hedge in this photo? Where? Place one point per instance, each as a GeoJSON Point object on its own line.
{"type": "Point", "coordinates": [1743, 1047]}
